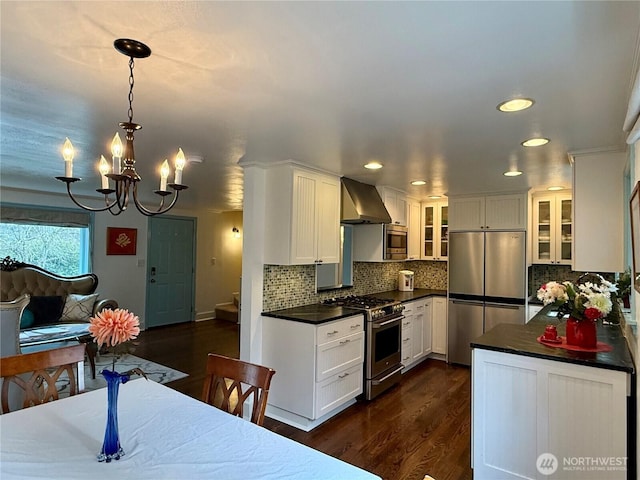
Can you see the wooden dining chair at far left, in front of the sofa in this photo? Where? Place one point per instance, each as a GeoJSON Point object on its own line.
{"type": "Point", "coordinates": [42, 370]}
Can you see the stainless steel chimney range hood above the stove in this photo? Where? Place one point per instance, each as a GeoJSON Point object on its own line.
{"type": "Point", "coordinates": [361, 203]}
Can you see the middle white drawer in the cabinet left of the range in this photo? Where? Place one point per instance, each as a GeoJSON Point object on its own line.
{"type": "Point", "coordinates": [340, 354]}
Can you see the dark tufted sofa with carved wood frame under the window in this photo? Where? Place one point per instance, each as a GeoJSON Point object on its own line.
{"type": "Point", "coordinates": [59, 309]}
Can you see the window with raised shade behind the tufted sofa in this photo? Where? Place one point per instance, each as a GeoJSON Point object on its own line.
{"type": "Point", "coordinates": [56, 240]}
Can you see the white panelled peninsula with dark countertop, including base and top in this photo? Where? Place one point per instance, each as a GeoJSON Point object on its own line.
{"type": "Point", "coordinates": [530, 399]}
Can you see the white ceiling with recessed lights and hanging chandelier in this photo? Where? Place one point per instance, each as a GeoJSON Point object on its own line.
{"type": "Point", "coordinates": [332, 84]}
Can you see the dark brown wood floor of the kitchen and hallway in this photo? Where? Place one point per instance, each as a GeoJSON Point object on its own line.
{"type": "Point", "coordinates": [421, 426]}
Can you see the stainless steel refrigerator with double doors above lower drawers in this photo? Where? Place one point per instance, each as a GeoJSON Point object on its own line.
{"type": "Point", "coordinates": [487, 286]}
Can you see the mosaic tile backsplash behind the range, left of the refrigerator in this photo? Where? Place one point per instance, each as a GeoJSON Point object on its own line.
{"type": "Point", "coordinates": [287, 286]}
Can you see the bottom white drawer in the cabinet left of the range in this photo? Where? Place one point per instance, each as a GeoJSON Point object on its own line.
{"type": "Point", "coordinates": [338, 389]}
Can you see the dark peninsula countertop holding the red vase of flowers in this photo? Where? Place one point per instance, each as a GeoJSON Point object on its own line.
{"type": "Point", "coordinates": [522, 340]}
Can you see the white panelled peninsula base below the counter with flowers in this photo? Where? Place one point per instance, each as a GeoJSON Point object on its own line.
{"type": "Point", "coordinates": [523, 407]}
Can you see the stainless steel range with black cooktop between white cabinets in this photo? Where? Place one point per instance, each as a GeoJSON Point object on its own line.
{"type": "Point", "coordinates": [383, 317]}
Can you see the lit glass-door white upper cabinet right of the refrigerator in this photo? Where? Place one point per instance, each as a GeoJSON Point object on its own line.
{"type": "Point", "coordinates": [552, 229]}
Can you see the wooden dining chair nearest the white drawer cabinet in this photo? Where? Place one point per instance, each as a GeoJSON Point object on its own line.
{"type": "Point", "coordinates": [230, 383]}
